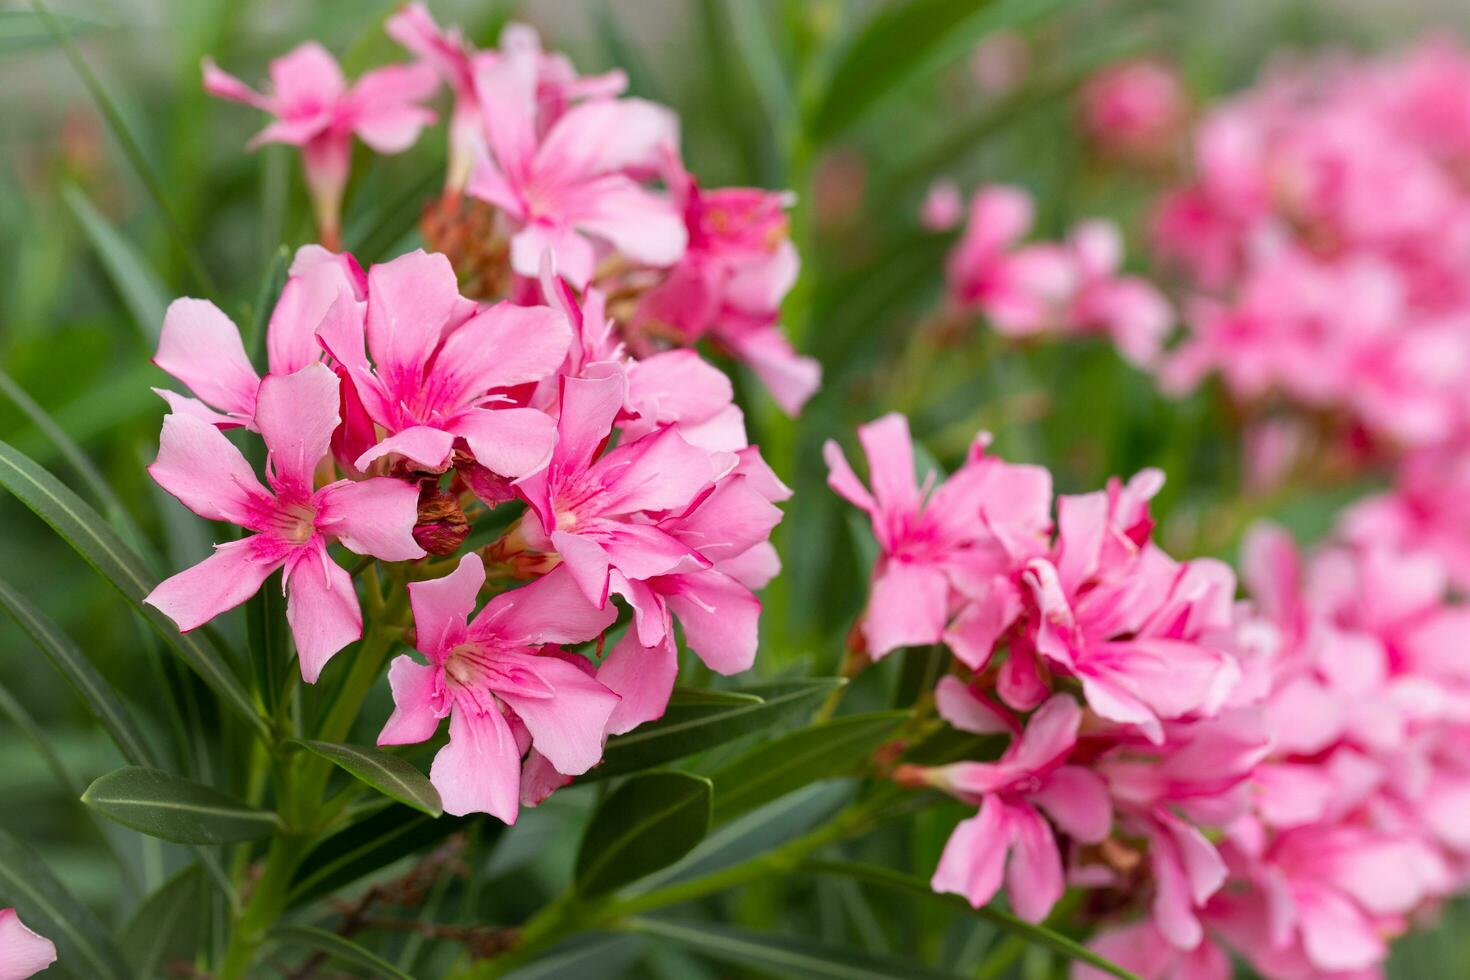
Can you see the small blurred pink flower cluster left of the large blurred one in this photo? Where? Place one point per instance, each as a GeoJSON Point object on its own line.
{"type": "Point", "coordinates": [1047, 289]}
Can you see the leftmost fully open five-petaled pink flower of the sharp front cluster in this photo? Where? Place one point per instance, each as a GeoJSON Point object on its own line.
{"type": "Point", "coordinates": [296, 415]}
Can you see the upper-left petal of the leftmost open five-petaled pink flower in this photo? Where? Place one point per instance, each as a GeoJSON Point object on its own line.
{"type": "Point", "coordinates": [208, 474]}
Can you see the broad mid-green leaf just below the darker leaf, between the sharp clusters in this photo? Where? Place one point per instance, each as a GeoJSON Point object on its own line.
{"type": "Point", "coordinates": [781, 766]}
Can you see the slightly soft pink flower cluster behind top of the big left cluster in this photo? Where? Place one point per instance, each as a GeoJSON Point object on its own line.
{"type": "Point", "coordinates": [561, 165]}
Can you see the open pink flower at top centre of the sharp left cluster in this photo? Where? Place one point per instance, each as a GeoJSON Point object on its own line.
{"type": "Point", "coordinates": [440, 367]}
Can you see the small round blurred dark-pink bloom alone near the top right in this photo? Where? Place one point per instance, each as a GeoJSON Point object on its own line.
{"type": "Point", "coordinates": [1134, 109]}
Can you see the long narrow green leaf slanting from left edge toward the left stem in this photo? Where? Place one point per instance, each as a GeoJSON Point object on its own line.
{"type": "Point", "coordinates": [104, 550]}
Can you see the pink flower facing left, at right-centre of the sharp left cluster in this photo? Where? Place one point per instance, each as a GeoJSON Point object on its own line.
{"type": "Point", "coordinates": [600, 515]}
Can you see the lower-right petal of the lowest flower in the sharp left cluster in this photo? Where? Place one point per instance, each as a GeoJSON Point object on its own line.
{"type": "Point", "coordinates": [568, 727]}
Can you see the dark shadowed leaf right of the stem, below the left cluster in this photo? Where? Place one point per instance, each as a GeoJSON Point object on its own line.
{"type": "Point", "coordinates": [371, 846]}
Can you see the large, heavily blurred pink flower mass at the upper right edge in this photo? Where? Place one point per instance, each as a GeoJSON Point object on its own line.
{"type": "Point", "coordinates": [1325, 237]}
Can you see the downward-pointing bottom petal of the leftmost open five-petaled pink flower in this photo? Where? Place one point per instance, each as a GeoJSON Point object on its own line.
{"type": "Point", "coordinates": [321, 608]}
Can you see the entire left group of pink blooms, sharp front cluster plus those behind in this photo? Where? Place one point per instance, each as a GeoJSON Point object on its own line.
{"type": "Point", "coordinates": [398, 414]}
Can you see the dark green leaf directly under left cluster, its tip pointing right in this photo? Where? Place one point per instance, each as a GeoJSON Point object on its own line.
{"type": "Point", "coordinates": [693, 727]}
